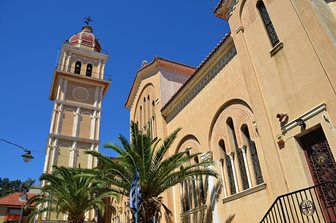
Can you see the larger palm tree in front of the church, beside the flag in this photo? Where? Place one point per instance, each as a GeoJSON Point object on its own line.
{"type": "Point", "coordinates": [158, 171]}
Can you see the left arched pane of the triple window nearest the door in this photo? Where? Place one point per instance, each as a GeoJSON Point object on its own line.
{"type": "Point", "coordinates": [226, 164]}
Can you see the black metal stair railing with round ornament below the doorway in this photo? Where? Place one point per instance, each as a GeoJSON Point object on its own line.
{"type": "Point", "coordinates": [312, 204]}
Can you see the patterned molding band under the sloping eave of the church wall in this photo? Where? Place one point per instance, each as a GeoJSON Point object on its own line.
{"type": "Point", "coordinates": [199, 87]}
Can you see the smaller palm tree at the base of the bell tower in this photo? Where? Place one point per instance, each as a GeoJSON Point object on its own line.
{"type": "Point", "coordinates": [71, 192]}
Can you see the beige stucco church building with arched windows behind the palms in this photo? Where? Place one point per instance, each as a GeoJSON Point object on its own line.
{"type": "Point", "coordinates": [253, 103]}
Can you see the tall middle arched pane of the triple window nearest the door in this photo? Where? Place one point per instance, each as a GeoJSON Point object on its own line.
{"type": "Point", "coordinates": [239, 152]}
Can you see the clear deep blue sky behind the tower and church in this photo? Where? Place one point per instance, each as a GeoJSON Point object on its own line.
{"type": "Point", "coordinates": [32, 33]}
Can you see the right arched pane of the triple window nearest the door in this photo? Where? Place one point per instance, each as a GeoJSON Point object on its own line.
{"type": "Point", "coordinates": [253, 154]}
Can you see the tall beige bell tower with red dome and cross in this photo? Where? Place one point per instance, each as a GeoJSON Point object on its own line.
{"type": "Point", "coordinates": [77, 89]}
